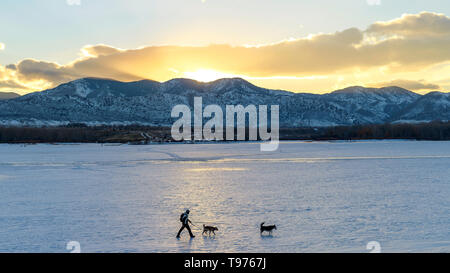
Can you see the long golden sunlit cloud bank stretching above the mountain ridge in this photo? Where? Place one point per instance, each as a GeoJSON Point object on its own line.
{"type": "Point", "coordinates": [408, 44]}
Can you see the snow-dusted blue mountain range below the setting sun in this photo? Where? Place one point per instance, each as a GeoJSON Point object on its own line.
{"type": "Point", "coordinates": [104, 101]}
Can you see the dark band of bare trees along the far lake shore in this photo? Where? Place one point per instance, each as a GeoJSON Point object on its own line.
{"type": "Point", "coordinates": [138, 134]}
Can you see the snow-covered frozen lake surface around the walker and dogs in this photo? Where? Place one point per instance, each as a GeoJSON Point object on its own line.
{"type": "Point", "coordinates": [323, 197]}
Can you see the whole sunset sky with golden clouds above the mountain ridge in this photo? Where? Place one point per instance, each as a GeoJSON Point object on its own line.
{"type": "Point", "coordinates": [298, 45]}
